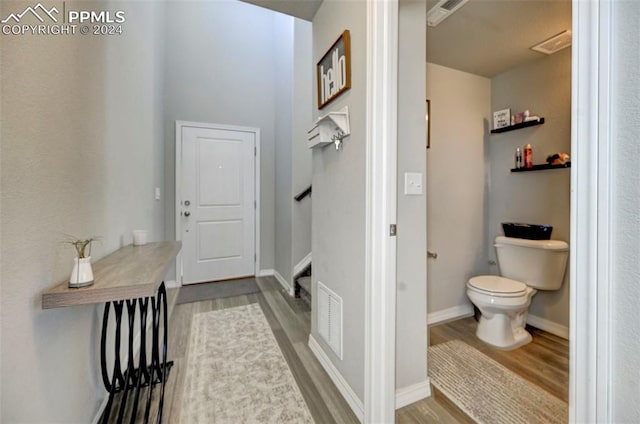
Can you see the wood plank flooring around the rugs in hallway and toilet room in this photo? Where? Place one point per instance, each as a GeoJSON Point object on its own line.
{"type": "Point", "coordinates": [544, 361]}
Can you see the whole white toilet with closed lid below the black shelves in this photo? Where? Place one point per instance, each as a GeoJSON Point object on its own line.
{"type": "Point", "coordinates": [526, 266]}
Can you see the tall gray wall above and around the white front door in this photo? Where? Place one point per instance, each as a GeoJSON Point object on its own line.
{"type": "Point", "coordinates": [220, 69]}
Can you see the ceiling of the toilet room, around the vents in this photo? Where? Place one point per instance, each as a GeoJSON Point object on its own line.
{"type": "Point", "coordinates": [488, 37]}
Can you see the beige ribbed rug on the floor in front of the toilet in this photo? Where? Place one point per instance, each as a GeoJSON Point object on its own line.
{"type": "Point", "coordinates": [487, 391]}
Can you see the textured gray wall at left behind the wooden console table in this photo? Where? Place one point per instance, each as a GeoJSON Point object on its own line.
{"type": "Point", "coordinates": [81, 153]}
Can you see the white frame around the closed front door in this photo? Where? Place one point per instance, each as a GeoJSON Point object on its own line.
{"type": "Point", "coordinates": [178, 180]}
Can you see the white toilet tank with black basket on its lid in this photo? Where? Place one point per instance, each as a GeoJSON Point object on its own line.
{"type": "Point", "coordinates": [538, 263]}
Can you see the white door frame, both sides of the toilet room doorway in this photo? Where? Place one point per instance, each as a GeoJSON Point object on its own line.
{"type": "Point", "coordinates": [591, 206]}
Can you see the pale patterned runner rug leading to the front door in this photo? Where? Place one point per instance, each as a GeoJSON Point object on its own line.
{"type": "Point", "coordinates": [236, 372]}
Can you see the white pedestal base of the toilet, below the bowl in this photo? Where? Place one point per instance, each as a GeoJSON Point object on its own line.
{"type": "Point", "coordinates": [501, 332]}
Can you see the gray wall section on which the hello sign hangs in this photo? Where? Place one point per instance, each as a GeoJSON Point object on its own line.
{"type": "Point", "coordinates": [338, 228]}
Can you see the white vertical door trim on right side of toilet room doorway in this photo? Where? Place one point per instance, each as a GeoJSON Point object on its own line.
{"type": "Point", "coordinates": [591, 142]}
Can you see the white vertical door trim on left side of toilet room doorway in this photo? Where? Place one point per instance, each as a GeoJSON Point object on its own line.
{"type": "Point", "coordinates": [380, 273]}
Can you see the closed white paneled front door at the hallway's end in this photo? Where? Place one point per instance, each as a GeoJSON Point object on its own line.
{"type": "Point", "coordinates": [216, 202]}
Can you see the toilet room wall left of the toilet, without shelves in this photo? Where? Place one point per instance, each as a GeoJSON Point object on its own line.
{"type": "Point", "coordinates": [457, 207]}
